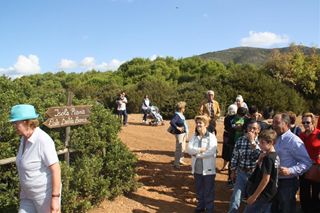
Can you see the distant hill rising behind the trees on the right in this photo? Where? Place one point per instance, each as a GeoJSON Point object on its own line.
{"type": "Point", "coordinates": [249, 55]}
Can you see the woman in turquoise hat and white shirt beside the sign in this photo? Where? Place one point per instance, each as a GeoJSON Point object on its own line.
{"type": "Point", "coordinates": [37, 163]}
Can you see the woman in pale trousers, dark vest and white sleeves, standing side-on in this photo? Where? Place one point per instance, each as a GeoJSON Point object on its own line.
{"type": "Point", "coordinates": [181, 131]}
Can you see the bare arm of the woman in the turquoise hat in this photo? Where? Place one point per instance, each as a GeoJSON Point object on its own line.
{"type": "Point", "coordinates": [56, 184]}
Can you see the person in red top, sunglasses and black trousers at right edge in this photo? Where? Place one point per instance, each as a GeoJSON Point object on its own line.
{"type": "Point", "coordinates": [310, 190]}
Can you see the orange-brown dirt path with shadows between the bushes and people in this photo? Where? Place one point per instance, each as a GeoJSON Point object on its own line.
{"type": "Point", "coordinates": [163, 188]}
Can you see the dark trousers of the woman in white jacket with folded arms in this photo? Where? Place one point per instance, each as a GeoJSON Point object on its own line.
{"type": "Point", "coordinates": [205, 192]}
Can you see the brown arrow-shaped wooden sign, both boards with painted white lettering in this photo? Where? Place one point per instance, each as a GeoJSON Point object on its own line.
{"type": "Point", "coordinates": [67, 116]}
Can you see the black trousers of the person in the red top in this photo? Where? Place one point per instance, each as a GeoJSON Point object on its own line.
{"type": "Point", "coordinates": [309, 195]}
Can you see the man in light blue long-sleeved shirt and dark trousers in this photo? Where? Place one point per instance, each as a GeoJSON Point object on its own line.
{"type": "Point", "coordinates": [294, 161]}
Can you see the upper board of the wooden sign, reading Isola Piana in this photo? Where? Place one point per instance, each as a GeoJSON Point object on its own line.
{"type": "Point", "coordinates": [65, 111]}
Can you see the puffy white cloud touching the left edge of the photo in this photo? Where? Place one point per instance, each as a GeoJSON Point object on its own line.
{"type": "Point", "coordinates": [25, 65]}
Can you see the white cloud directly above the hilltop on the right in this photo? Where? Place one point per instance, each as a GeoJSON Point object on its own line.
{"type": "Point", "coordinates": [264, 39]}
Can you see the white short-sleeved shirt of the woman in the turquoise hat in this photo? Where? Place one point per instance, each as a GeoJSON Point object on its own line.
{"type": "Point", "coordinates": [33, 165]}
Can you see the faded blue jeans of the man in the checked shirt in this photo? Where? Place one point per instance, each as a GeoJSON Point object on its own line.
{"type": "Point", "coordinates": [238, 190]}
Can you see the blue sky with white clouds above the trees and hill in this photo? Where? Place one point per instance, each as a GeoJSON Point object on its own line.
{"type": "Point", "coordinates": [38, 36]}
